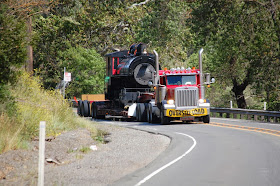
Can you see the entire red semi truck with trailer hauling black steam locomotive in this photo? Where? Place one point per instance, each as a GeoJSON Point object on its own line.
{"type": "Point", "coordinates": [137, 88]}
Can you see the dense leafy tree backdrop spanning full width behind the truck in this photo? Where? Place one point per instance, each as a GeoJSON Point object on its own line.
{"type": "Point", "coordinates": [241, 40]}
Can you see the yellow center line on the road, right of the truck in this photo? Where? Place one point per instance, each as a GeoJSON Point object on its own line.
{"type": "Point", "coordinates": [246, 128]}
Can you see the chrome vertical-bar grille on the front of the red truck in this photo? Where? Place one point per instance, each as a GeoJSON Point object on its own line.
{"type": "Point", "coordinates": [186, 97]}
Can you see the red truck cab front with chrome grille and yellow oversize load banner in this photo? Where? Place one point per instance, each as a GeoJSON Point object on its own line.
{"type": "Point", "coordinates": [181, 96]}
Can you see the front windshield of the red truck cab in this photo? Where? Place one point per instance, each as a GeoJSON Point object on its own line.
{"type": "Point", "coordinates": [181, 80]}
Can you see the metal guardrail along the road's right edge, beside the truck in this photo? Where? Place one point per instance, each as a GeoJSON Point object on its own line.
{"type": "Point", "coordinates": [257, 115]}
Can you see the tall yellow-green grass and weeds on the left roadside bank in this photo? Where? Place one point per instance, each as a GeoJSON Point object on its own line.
{"type": "Point", "coordinates": [32, 104]}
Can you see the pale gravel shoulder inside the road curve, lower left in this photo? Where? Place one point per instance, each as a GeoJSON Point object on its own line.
{"type": "Point", "coordinates": [74, 163]}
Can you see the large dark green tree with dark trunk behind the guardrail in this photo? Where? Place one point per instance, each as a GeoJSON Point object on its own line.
{"type": "Point", "coordinates": [239, 38]}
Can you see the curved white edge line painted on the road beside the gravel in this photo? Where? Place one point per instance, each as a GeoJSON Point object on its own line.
{"type": "Point", "coordinates": [170, 163]}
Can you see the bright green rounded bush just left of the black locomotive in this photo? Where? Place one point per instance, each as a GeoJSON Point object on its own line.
{"type": "Point", "coordinates": [87, 69]}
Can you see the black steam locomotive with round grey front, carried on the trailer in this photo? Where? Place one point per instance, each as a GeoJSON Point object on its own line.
{"type": "Point", "coordinates": [128, 73]}
